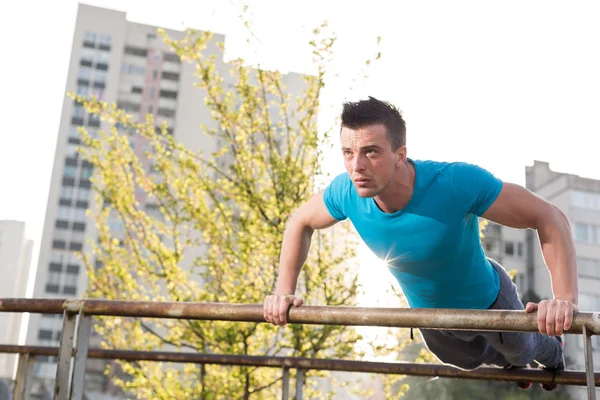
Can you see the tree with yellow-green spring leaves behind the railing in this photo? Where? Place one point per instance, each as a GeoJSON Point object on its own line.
{"type": "Point", "coordinates": [179, 225]}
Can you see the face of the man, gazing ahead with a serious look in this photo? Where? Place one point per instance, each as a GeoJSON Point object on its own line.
{"type": "Point", "coordinates": [368, 158]}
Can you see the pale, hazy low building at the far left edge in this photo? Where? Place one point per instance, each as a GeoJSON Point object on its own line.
{"type": "Point", "coordinates": [15, 267]}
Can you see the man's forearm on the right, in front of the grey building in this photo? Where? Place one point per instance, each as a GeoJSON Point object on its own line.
{"type": "Point", "coordinates": [558, 250]}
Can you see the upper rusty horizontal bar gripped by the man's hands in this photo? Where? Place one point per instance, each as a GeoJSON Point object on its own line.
{"type": "Point", "coordinates": [449, 319]}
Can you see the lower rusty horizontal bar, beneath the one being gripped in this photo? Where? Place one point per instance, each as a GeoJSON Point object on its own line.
{"type": "Point", "coordinates": [577, 378]}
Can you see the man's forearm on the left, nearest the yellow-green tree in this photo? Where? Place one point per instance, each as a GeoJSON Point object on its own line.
{"type": "Point", "coordinates": [294, 251]}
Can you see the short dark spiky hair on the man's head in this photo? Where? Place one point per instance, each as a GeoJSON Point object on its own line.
{"type": "Point", "coordinates": [360, 114]}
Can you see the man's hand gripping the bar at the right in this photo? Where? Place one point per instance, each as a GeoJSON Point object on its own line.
{"type": "Point", "coordinates": [554, 316]}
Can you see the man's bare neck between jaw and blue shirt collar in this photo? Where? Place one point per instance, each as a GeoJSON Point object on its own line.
{"type": "Point", "coordinates": [400, 190]}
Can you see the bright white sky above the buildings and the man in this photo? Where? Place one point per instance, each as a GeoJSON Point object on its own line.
{"type": "Point", "coordinates": [496, 83]}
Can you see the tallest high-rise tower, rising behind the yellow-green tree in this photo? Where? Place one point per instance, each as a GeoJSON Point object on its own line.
{"type": "Point", "coordinates": [126, 63]}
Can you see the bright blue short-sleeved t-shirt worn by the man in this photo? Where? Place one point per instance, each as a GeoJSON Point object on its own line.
{"type": "Point", "coordinates": [432, 246]}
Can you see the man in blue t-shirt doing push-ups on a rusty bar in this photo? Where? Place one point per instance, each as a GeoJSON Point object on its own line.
{"type": "Point", "coordinates": [421, 217]}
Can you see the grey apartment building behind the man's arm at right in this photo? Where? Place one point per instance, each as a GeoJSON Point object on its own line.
{"type": "Point", "coordinates": [519, 250]}
